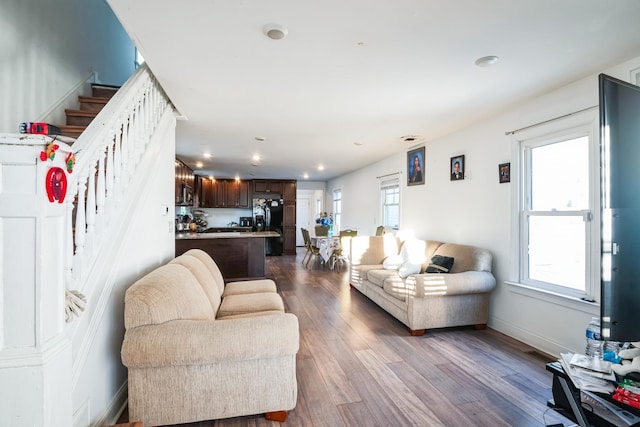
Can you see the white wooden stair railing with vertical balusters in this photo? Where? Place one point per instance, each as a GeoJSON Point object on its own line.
{"type": "Point", "coordinates": [107, 154]}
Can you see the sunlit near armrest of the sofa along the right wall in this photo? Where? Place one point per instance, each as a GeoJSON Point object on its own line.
{"type": "Point", "coordinates": [436, 284]}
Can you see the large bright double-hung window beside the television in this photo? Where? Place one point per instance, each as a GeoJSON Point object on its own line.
{"type": "Point", "coordinates": [558, 237]}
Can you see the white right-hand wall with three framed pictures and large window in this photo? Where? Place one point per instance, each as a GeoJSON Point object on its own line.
{"type": "Point", "coordinates": [476, 211]}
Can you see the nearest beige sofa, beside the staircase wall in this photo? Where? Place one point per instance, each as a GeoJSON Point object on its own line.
{"type": "Point", "coordinates": [198, 350]}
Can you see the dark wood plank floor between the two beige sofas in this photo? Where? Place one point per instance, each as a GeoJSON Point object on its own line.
{"type": "Point", "coordinates": [358, 366]}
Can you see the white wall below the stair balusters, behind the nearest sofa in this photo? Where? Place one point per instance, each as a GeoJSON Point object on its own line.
{"type": "Point", "coordinates": [145, 240]}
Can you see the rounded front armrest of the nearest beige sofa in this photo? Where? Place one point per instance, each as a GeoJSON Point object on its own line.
{"type": "Point", "coordinates": [187, 342]}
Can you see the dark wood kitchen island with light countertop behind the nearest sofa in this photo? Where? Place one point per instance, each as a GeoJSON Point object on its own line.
{"type": "Point", "coordinates": [239, 255]}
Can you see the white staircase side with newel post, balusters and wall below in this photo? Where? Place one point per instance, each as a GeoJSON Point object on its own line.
{"type": "Point", "coordinates": [114, 224]}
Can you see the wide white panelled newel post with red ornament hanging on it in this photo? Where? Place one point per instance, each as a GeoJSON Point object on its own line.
{"type": "Point", "coordinates": [35, 356]}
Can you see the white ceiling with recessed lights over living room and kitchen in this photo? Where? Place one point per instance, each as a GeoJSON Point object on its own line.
{"type": "Point", "coordinates": [353, 77]}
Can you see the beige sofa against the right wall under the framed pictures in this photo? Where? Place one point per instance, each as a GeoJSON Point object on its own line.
{"type": "Point", "coordinates": [424, 300]}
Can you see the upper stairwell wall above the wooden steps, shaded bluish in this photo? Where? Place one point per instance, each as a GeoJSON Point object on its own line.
{"type": "Point", "coordinates": [48, 48]}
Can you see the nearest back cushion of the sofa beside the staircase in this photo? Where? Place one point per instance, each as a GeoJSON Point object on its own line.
{"type": "Point", "coordinates": [168, 293]}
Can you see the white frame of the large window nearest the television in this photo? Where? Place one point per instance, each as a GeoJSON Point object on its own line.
{"type": "Point", "coordinates": [566, 128]}
